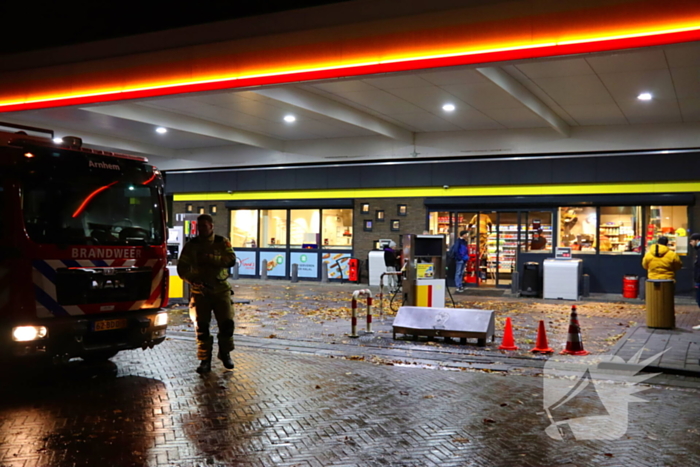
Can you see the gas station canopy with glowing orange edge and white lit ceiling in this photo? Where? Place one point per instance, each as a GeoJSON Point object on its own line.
{"type": "Point", "coordinates": [377, 80]}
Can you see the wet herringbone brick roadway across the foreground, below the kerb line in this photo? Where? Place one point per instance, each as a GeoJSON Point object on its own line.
{"type": "Point", "coordinates": [279, 408]}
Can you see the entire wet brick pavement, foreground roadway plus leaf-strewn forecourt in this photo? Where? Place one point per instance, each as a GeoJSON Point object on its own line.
{"type": "Point", "coordinates": [300, 396]}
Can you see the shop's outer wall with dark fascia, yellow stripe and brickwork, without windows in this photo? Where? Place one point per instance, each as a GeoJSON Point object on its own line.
{"type": "Point", "coordinates": [620, 179]}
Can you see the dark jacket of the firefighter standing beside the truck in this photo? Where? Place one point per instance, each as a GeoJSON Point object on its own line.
{"type": "Point", "coordinates": [204, 263]}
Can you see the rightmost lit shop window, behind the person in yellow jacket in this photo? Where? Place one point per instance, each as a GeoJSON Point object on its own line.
{"type": "Point", "coordinates": [667, 221]}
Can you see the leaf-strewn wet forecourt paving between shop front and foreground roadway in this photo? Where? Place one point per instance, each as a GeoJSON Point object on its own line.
{"type": "Point", "coordinates": [321, 313]}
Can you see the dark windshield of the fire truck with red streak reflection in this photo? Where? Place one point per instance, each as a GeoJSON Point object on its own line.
{"type": "Point", "coordinates": [93, 208]}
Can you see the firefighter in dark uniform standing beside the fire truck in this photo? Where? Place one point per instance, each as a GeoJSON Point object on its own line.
{"type": "Point", "coordinates": [204, 264]}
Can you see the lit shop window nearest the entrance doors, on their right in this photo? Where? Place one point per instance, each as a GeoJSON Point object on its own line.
{"type": "Point", "coordinates": [577, 228]}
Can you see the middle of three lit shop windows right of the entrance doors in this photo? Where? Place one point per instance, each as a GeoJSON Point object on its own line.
{"type": "Point", "coordinates": [620, 230]}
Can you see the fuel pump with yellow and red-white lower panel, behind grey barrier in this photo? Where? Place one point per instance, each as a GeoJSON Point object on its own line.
{"type": "Point", "coordinates": [423, 281]}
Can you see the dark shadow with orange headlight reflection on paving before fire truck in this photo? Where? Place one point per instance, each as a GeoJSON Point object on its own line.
{"type": "Point", "coordinates": [80, 415]}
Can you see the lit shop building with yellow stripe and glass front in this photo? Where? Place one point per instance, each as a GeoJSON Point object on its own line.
{"type": "Point", "coordinates": [517, 210]}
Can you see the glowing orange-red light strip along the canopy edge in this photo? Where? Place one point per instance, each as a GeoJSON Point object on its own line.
{"type": "Point", "coordinates": [407, 62]}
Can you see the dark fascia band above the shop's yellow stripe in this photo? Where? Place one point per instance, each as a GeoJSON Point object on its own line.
{"type": "Point", "coordinates": [625, 167]}
